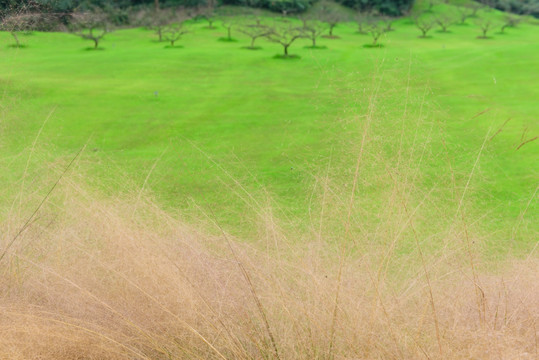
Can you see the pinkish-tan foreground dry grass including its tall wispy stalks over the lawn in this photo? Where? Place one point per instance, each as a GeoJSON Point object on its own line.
{"type": "Point", "coordinates": [395, 264]}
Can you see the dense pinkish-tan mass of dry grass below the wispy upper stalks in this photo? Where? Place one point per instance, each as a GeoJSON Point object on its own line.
{"type": "Point", "coordinates": [98, 279]}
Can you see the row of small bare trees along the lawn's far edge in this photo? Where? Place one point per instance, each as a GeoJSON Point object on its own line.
{"type": "Point", "coordinates": [171, 25]}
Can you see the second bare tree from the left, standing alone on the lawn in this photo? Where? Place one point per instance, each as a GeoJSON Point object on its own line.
{"type": "Point", "coordinates": [91, 25]}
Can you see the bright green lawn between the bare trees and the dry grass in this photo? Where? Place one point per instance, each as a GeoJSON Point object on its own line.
{"type": "Point", "coordinates": [211, 121]}
